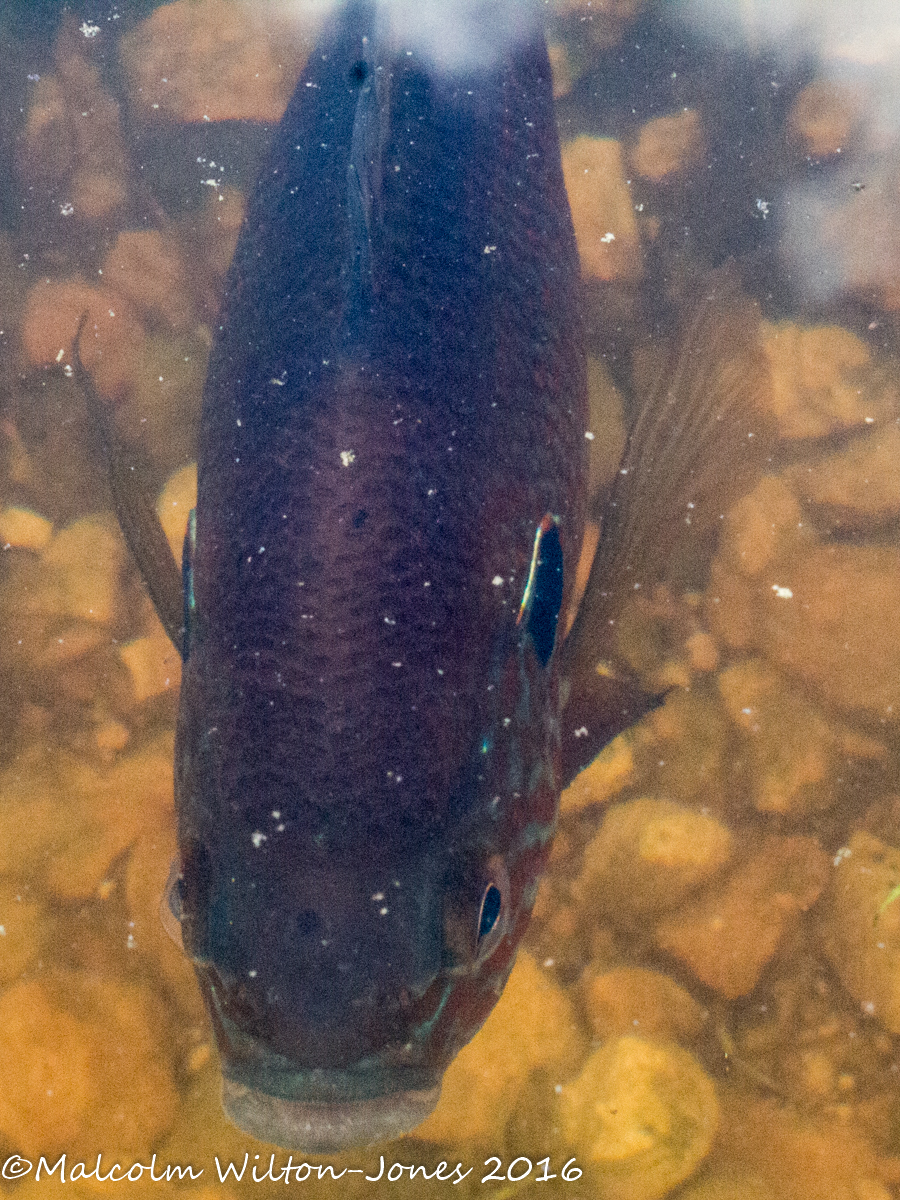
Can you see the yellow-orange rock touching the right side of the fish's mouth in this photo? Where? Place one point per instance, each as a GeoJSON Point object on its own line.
{"type": "Point", "coordinates": [533, 1027]}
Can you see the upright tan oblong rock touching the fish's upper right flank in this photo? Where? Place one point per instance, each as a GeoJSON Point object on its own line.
{"type": "Point", "coordinates": [603, 213]}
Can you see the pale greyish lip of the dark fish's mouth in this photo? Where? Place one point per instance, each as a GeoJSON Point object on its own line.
{"type": "Point", "coordinates": [326, 1127]}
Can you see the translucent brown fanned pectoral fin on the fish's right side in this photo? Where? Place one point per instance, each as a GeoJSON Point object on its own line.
{"type": "Point", "coordinates": [703, 436]}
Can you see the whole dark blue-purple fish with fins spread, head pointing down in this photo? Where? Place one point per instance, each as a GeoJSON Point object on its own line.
{"type": "Point", "coordinates": [392, 475]}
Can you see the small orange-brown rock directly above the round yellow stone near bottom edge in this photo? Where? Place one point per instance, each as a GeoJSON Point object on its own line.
{"type": "Point", "coordinates": [632, 1000]}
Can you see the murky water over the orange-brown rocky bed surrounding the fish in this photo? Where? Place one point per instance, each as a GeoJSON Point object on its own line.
{"type": "Point", "coordinates": [710, 995]}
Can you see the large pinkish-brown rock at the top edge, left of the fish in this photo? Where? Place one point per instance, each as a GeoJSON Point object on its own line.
{"type": "Point", "coordinates": [207, 61]}
